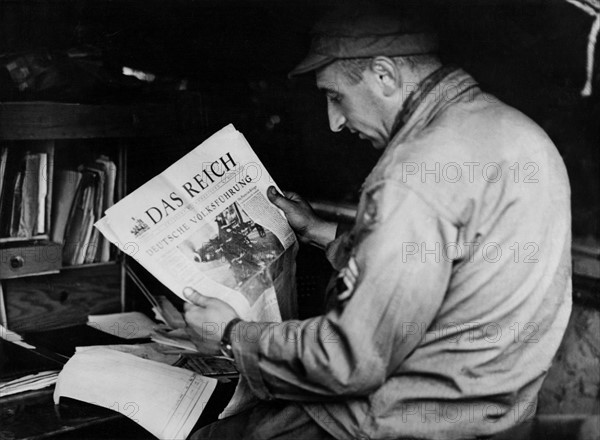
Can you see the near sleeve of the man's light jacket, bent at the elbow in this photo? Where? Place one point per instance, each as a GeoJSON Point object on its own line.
{"type": "Point", "coordinates": [401, 279]}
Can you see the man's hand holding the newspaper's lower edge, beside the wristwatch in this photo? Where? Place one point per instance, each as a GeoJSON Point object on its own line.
{"type": "Point", "coordinates": [206, 319]}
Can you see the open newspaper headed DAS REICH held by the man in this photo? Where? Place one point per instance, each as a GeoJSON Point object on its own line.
{"type": "Point", "coordinates": [206, 222]}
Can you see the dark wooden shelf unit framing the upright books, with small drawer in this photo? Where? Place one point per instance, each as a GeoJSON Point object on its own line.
{"type": "Point", "coordinates": [37, 291]}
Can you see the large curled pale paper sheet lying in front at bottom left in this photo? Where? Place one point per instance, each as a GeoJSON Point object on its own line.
{"type": "Point", "coordinates": [165, 400]}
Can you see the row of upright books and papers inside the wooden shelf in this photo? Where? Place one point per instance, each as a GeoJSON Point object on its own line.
{"type": "Point", "coordinates": [39, 203]}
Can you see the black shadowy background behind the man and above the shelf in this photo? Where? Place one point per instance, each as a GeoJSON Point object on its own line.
{"type": "Point", "coordinates": [236, 55]}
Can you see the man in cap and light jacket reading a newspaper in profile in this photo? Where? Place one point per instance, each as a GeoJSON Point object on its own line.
{"type": "Point", "coordinates": [454, 283]}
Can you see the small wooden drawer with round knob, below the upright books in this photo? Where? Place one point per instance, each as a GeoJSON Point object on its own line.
{"type": "Point", "coordinates": [17, 260]}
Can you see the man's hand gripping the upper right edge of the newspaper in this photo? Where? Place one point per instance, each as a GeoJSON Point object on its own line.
{"type": "Point", "coordinates": [309, 227]}
